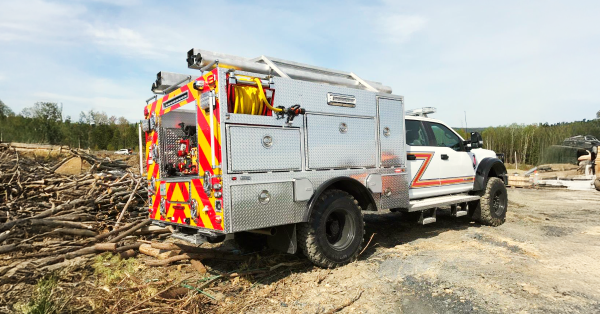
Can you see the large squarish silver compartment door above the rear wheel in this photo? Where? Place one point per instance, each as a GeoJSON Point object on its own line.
{"type": "Point", "coordinates": [341, 141]}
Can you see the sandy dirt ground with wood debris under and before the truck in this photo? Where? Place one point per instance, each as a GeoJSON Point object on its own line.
{"type": "Point", "coordinates": [544, 259]}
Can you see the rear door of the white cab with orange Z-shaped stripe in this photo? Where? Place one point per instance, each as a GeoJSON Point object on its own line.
{"type": "Point", "coordinates": [423, 173]}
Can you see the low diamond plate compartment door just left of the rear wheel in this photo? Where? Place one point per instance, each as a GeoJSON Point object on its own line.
{"type": "Point", "coordinates": [264, 205]}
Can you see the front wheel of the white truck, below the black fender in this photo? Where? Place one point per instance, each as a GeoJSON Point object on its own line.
{"type": "Point", "coordinates": [491, 209]}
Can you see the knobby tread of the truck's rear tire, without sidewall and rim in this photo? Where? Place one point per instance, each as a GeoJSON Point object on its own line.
{"type": "Point", "coordinates": [307, 240]}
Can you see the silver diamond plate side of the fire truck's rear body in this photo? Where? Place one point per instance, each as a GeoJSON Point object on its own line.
{"type": "Point", "coordinates": [241, 207]}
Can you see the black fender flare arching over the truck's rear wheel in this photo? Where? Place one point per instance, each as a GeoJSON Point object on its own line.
{"type": "Point", "coordinates": [352, 186]}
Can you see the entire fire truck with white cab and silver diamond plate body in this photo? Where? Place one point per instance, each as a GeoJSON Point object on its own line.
{"type": "Point", "coordinates": [290, 156]}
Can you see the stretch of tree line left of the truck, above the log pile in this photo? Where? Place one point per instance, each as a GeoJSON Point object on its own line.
{"type": "Point", "coordinates": [43, 123]}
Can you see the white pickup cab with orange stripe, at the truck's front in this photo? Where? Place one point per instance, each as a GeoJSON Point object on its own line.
{"type": "Point", "coordinates": [442, 165]}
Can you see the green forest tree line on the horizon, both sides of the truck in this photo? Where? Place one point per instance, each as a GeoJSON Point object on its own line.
{"type": "Point", "coordinates": [44, 123]}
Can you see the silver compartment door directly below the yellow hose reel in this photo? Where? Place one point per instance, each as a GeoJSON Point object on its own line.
{"type": "Point", "coordinates": [260, 149]}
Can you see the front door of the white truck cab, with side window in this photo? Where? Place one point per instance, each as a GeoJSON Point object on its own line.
{"type": "Point", "coordinates": [454, 164]}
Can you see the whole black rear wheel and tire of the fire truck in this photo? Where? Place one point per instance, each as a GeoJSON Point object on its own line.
{"type": "Point", "coordinates": [333, 235]}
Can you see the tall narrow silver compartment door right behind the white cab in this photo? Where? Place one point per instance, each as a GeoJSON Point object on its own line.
{"type": "Point", "coordinates": [391, 132]}
